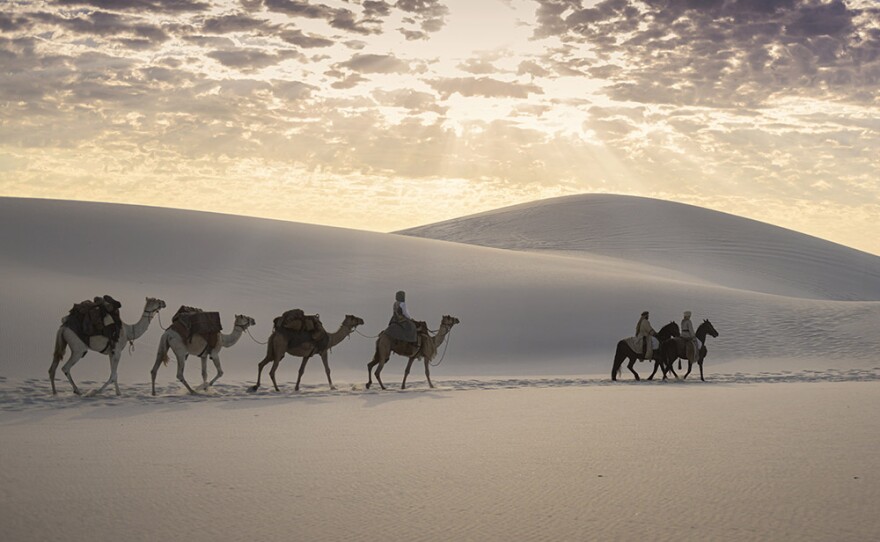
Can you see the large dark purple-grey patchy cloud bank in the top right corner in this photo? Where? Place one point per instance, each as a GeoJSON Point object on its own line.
{"type": "Point", "coordinates": [722, 52]}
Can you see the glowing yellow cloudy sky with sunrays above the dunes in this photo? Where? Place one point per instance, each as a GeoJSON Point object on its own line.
{"type": "Point", "coordinates": [382, 115]}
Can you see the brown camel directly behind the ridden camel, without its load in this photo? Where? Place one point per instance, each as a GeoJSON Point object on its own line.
{"type": "Point", "coordinates": [279, 344]}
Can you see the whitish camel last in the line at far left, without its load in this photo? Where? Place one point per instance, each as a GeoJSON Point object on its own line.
{"type": "Point", "coordinates": [129, 333]}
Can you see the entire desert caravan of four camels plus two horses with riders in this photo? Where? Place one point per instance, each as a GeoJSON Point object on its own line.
{"type": "Point", "coordinates": [96, 325]}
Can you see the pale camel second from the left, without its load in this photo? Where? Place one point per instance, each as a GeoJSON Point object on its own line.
{"type": "Point", "coordinates": [197, 345]}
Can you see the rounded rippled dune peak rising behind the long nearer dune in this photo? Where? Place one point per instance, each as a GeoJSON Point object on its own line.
{"type": "Point", "coordinates": [704, 245]}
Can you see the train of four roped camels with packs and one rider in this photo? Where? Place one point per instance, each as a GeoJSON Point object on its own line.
{"type": "Point", "coordinates": [96, 325]}
